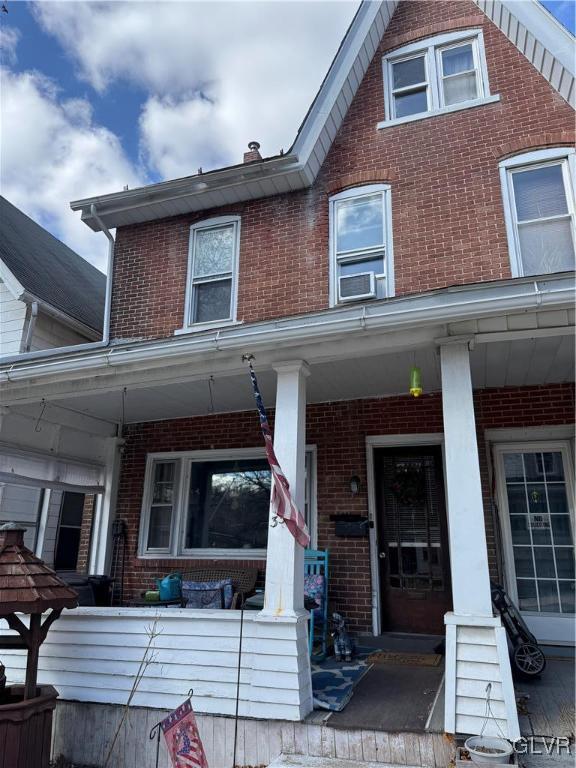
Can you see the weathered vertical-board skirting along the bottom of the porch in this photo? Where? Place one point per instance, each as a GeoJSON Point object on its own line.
{"type": "Point", "coordinates": [82, 733]}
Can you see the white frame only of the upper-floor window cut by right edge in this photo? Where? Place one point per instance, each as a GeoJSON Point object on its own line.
{"type": "Point", "coordinates": [564, 156]}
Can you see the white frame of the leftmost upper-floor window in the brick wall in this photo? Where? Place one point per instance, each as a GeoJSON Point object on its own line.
{"type": "Point", "coordinates": [212, 223]}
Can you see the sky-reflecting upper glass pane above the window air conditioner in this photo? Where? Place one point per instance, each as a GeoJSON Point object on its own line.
{"type": "Point", "coordinates": [360, 223]}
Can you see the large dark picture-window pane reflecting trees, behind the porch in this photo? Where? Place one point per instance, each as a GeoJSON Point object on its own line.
{"type": "Point", "coordinates": [228, 504]}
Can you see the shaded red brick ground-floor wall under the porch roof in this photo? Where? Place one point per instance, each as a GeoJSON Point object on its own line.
{"type": "Point", "coordinates": [339, 431]}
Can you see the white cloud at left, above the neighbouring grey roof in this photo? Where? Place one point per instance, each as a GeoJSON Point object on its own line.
{"type": "Point", "coordinates": [51, 153]}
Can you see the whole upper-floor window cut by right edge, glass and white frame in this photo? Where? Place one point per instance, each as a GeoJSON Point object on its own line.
{"type": "Point", "coordinates": [538, 191]}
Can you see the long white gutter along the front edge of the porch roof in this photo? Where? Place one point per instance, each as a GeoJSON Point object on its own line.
{"type": "Point", "coordinates": [410, 312]}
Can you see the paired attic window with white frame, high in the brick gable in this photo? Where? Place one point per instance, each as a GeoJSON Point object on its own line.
{"type": "Point", "coordinates": [440, 74]}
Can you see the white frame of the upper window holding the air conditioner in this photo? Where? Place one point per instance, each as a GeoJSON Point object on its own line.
{"type": "Point", "coordinates": [388, 276]}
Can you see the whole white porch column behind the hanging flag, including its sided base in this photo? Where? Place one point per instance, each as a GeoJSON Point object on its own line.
{"type": "Point", "coordinates": [281, 642]}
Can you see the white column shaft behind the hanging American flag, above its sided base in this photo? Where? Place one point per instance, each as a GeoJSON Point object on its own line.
{"type": "Point", "coordinates": [284, 595]}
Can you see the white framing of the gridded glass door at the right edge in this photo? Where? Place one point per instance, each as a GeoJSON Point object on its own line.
{"type": "Point", "coordinates": [543, 624]}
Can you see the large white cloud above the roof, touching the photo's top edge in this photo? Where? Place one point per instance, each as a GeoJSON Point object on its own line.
{"type": "Point", "coordinates": [216, 75]}
